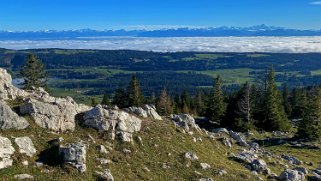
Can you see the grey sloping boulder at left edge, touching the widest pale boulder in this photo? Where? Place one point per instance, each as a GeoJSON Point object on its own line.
{"type": "Point", "coordinates": [10, 120]}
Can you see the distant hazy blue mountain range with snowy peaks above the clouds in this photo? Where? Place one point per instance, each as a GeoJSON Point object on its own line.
{"type": "Point", "coordinates": [259, 30]}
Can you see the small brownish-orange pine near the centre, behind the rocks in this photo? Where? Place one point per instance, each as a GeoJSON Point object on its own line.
{"type": "Point", "coordinates": [164, 104]}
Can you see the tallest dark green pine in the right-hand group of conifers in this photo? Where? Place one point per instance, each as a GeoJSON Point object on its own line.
{"type": "Point", "coordinates": [275, 117]}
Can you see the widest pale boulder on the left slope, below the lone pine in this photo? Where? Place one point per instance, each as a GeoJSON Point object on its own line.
{"type": "Point", "coordinates": [56, 114]}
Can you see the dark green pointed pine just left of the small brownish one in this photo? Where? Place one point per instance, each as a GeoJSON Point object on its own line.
{"type": "Point", "coordinates": [135, 96]}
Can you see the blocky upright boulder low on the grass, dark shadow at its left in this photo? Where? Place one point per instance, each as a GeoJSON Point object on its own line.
{"type": "Point", "coordinates": [75, 155]}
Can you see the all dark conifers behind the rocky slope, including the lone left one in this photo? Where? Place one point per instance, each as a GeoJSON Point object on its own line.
{"type": "Point", "coordinates": [260, 105]}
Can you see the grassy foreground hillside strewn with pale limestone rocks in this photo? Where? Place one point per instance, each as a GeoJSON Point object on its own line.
{"type": "Point", "coordinates": [51, 138]}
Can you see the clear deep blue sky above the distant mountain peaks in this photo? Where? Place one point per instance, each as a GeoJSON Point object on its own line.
{"type": "Point", "coordinates": [107, 14]}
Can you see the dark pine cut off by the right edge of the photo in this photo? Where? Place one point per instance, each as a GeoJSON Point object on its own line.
{"type": "Point", "coordinates": [310, 126]}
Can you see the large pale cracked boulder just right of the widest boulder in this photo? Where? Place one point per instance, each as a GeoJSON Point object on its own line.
{"type": "Point", "coordinates": [118, 122]}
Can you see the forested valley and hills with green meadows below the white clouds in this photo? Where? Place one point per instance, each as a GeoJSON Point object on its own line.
{"type": "Point", "coordinates": [108, 70]}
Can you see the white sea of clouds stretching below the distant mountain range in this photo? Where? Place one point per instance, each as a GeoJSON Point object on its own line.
{"type": "Point", "coordinates": [200, 44]}
